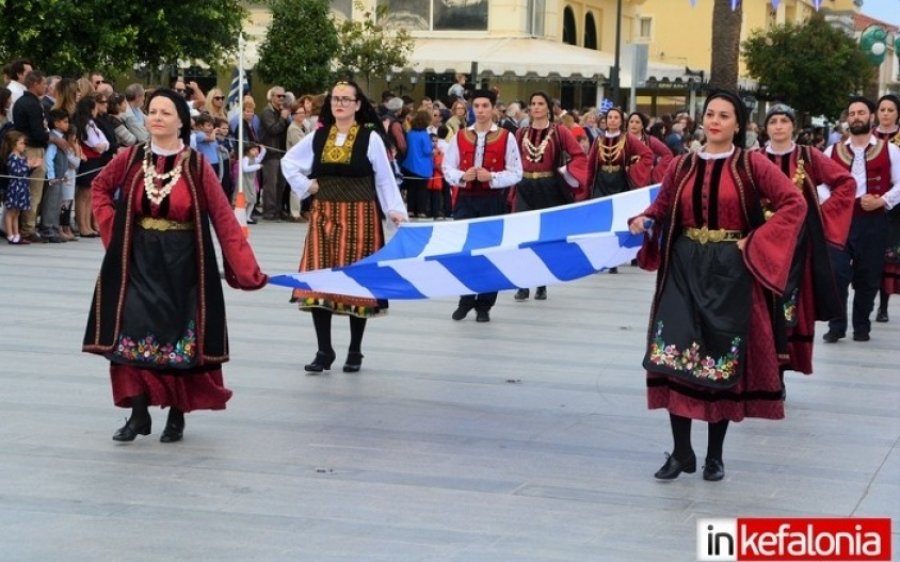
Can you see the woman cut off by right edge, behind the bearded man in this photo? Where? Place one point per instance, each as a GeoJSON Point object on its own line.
{"type": "Point", "coordinates": [888, 130]}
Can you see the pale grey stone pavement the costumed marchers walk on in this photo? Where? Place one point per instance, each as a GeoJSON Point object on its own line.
{"type": "Point", "coordinates": [524, 439]}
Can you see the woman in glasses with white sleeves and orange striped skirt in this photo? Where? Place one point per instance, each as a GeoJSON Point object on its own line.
{"type": "Point", "coordinates": [344, 163]}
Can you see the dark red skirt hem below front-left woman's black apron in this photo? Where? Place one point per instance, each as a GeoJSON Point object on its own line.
{"type": "Point", "coordinates": [187, 392]}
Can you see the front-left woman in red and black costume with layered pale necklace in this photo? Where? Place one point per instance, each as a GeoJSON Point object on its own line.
{"type": "Point", "coordinates": [158, 312]}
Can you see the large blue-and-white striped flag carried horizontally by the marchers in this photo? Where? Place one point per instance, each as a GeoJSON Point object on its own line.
{"type": "Point", "coordinates": [455, 258]}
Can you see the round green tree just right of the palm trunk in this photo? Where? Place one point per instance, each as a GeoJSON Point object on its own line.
{"type": "Point", "coordinates": [811, 66]}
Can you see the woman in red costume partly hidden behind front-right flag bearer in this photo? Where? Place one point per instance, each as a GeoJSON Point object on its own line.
{"type": "Point", "coordinates": [811, 293]}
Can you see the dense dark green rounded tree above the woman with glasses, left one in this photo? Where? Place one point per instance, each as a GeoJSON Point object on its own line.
{"type": "Point", "coordinates": [299, 47]}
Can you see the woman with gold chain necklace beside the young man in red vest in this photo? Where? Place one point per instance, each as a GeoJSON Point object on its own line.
{"type": "Point", "coordinates": [554, 165]}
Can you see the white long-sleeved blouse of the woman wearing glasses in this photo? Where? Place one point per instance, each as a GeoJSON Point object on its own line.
{"type": "Point", "coordinates": [297, 164]}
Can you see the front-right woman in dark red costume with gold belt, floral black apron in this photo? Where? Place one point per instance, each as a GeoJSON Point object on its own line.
{"type": "Point", "coordinates": [710, 347]}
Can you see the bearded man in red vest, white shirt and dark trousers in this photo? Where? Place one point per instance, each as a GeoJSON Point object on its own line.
{"type": "Point", "coordinates": [875, 166]}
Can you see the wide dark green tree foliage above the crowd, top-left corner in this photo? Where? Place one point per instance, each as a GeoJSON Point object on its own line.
{"type": "Point", "coordinates": [68, 36]}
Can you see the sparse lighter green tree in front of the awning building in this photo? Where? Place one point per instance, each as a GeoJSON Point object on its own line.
{"type": "Point", "coordinates": [367, 48]}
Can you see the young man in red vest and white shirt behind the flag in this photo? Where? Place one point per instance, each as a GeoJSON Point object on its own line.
{"type": "Point", "coordinates": [482, 161]}
